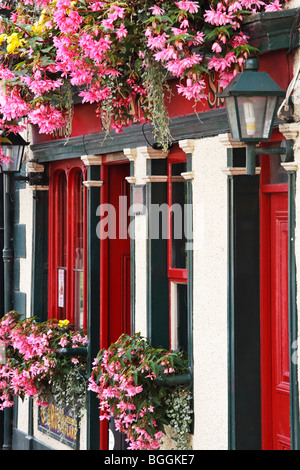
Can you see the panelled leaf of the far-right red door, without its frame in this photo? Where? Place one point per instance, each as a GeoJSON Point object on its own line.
{"type": "Point", "coordinates": [279, 321]}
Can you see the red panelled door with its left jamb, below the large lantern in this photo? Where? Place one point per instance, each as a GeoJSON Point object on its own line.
{"type": "Point", "coordinates": [274, 318]}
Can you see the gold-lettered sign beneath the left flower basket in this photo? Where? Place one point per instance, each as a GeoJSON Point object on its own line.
{"type": "Point", "coordinates": [59, 424]}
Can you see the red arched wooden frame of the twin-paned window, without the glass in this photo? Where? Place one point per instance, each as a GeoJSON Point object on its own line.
{"type": "Point", "coordinates": [70, 169]}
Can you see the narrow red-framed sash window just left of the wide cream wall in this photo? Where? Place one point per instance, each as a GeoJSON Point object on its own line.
{"type": "Point", "coordinates": [177, 259]}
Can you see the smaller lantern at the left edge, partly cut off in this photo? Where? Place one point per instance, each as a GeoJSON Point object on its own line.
{"type": "Point", "coordinates": [14, 150]}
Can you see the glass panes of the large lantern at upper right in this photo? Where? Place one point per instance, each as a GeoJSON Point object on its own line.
{"type": "Point", "coordinates": [256, 116]}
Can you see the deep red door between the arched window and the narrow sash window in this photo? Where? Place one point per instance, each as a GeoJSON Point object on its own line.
{"type": "Point", "coordinates": [115, 317]}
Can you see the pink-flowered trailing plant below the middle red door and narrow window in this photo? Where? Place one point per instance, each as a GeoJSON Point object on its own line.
{"type": "Point", "coordinates": [129, 380]}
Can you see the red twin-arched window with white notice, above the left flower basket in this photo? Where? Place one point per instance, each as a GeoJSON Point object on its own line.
{"type": "Point", "coordinates": [66, 242]}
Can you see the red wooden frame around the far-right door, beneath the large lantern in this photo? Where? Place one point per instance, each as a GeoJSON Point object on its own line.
{"type": "Point", "coordinates": [265, 298]}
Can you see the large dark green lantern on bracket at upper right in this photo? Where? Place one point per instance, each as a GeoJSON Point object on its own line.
{"type": "Point", "coordinates": [252, 100]}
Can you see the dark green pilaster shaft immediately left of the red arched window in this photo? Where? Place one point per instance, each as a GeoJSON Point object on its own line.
{"type": "Point", "coordinates": [39, 275]}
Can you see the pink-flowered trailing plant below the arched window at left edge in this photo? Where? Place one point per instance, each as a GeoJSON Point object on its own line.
{"type": "Point", "coordinates": [33, 365]}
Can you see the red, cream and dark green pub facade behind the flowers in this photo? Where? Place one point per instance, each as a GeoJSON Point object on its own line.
{"type": "Point", "coordinates": [224, 289]}
